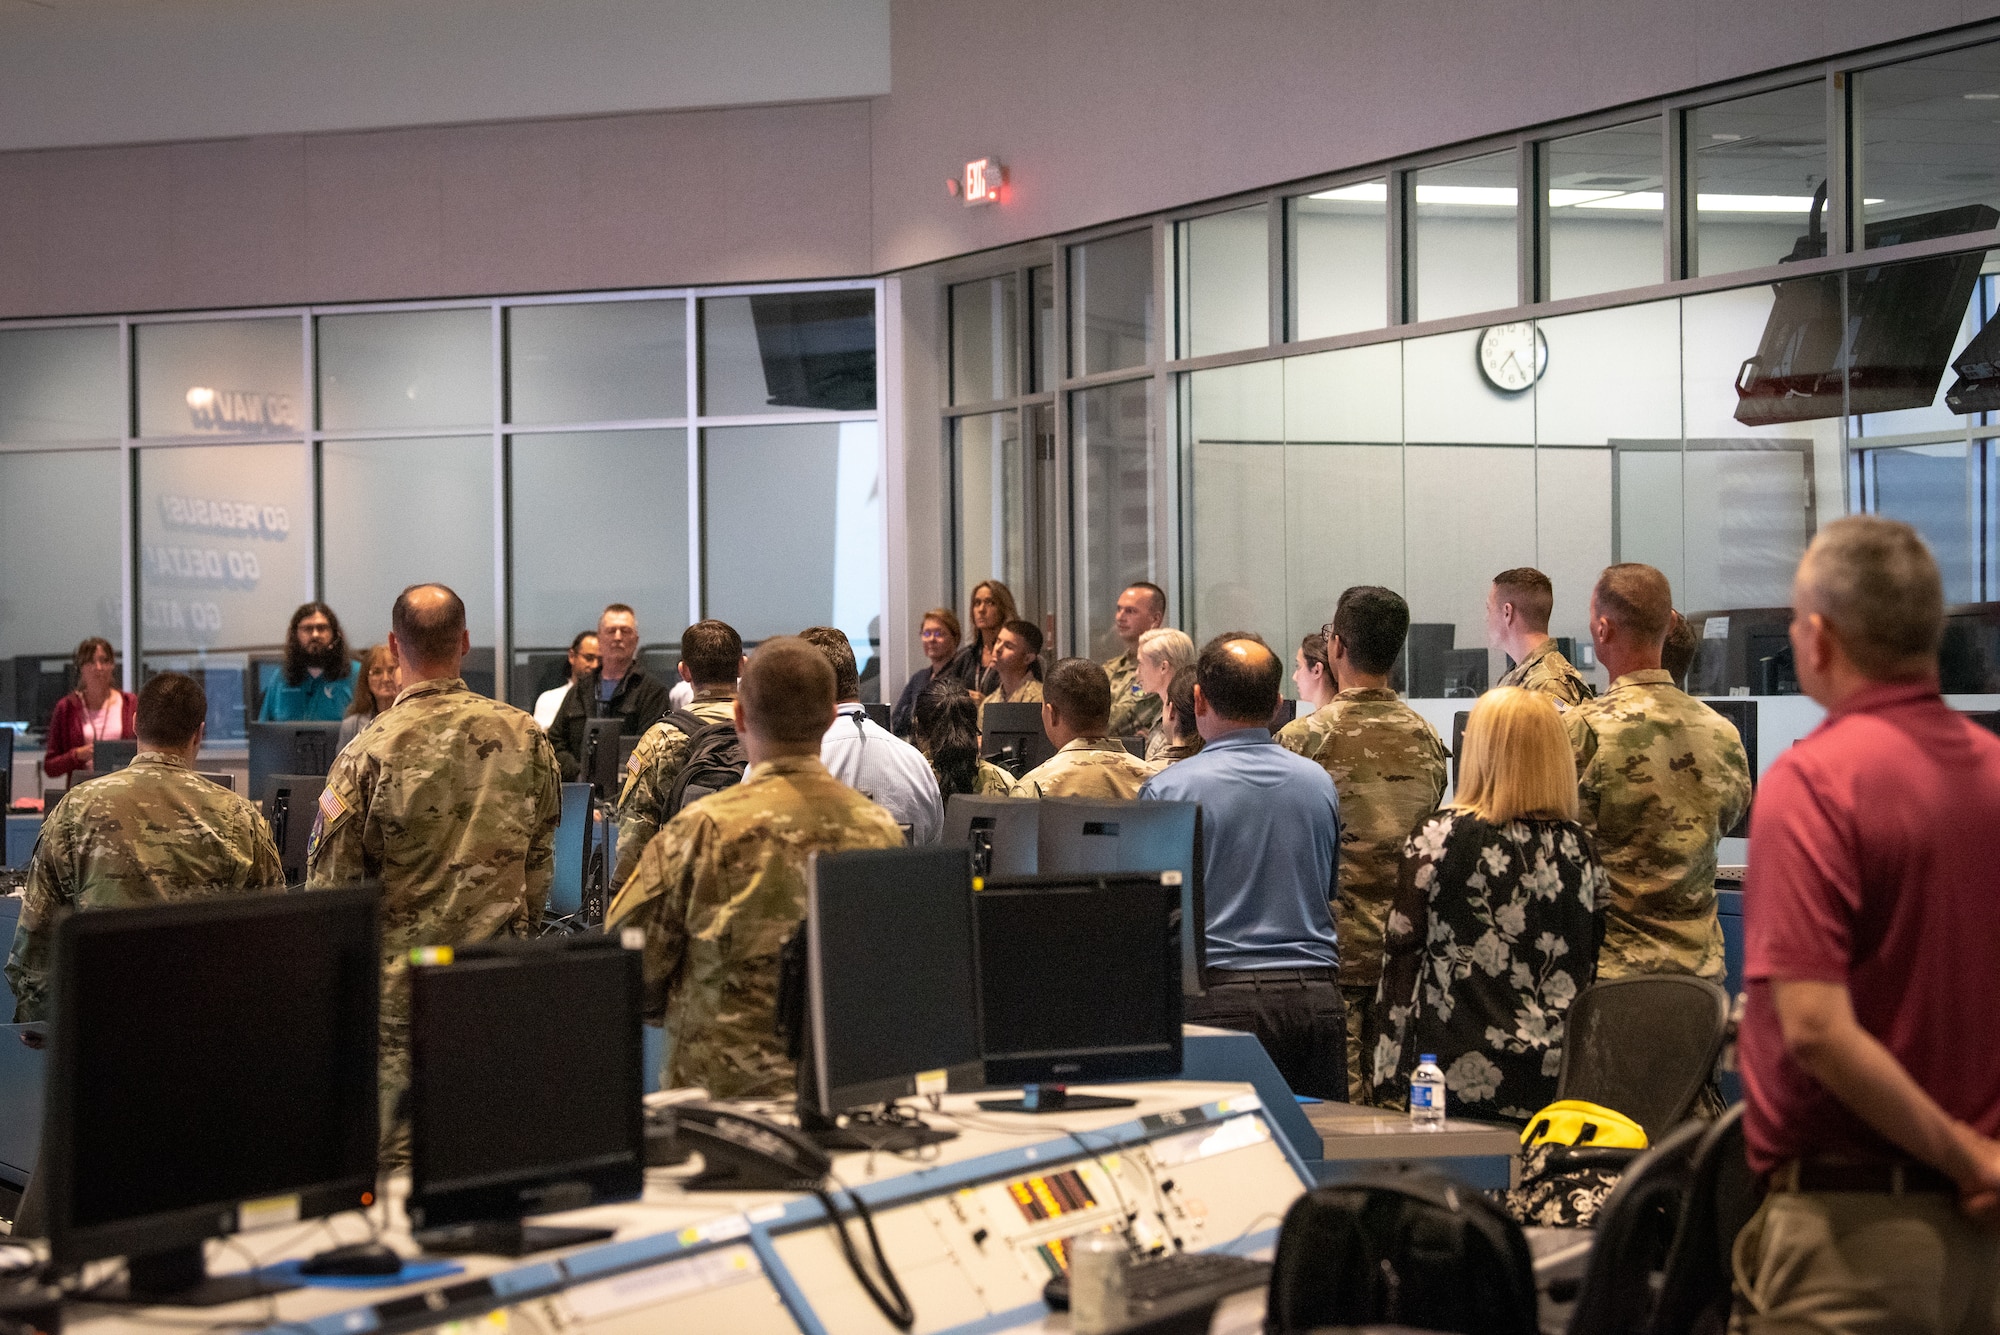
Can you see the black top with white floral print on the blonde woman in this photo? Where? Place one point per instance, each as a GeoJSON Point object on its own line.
{"type": "Point", "coordinates": [1493, 934]}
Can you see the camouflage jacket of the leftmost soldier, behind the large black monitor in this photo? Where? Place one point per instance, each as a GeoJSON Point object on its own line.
{"type": "Point", "coordinates": [153, 832]}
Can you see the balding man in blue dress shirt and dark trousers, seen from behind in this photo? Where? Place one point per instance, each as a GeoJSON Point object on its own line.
{"type": "Point", "coordinates": [1271, 860]}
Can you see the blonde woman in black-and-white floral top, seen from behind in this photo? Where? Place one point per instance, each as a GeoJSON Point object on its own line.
{"type": "Point", "coordinates": [1497, 922]}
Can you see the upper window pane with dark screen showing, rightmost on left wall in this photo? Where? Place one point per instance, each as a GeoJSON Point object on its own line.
{"type": "Point", "coordinates": [789, 353]}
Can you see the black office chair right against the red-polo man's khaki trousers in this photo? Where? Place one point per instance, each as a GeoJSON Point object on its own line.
{"type": "Point", "coordinates": [1695, 1296]}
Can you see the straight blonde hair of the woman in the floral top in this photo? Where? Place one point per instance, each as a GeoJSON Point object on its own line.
{"type": "Point", "coordinates": [1517, 760]}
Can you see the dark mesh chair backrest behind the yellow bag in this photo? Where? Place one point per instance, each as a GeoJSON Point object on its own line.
{"type": "Point", "coordinates": [1645, 1046]}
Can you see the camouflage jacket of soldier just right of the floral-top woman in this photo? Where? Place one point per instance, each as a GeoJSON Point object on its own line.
{"type": "Point", "coordinates": [1661, 776]}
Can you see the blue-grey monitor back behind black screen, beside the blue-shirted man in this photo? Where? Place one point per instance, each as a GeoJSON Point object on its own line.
{"type": "Point", "coordinates": [1135, 836]}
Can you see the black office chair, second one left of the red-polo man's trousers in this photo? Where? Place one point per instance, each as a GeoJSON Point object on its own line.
{"type": "Point", "coordinates": [1633, 1236]}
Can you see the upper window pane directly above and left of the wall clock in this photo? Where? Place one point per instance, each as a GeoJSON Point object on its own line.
{"type": "Point", "coordinates": [1467, 245]}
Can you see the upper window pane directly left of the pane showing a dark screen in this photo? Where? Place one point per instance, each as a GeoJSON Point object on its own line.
{"type": "Point", "coordinates": [597, 363]}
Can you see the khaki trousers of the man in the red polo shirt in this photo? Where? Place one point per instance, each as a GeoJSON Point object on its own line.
{"type": "Point", "coordinates": [1865, 1262]}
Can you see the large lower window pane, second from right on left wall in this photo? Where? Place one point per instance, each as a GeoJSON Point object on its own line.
{"type": "Point", "coordinates": [579, 545]}
